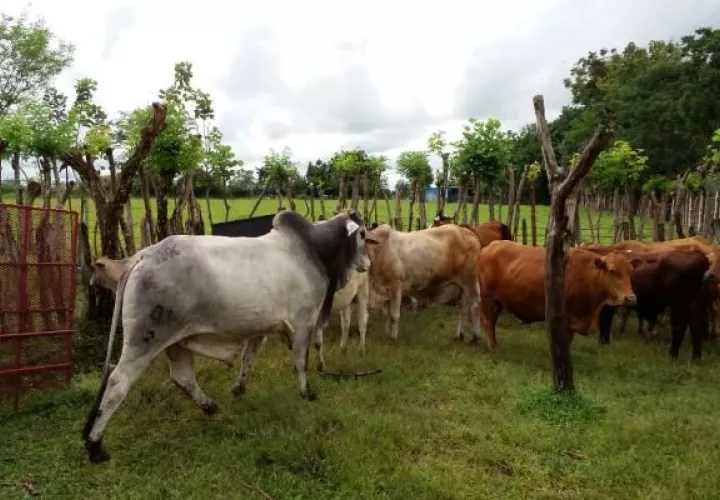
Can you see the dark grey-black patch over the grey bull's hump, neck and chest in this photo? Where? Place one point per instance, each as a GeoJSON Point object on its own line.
{"type": "Point", "coordinates": [327, 245]}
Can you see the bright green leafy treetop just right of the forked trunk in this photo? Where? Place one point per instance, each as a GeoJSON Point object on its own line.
{"type": "Point", "coordinates": [619, 167]}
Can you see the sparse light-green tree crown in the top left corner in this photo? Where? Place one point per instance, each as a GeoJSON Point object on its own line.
{"type": "Point", "coordinates": [30, 57]}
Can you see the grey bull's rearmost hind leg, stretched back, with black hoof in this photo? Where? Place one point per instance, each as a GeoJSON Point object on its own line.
{"type": "Point", "coordinates": [133, 362]}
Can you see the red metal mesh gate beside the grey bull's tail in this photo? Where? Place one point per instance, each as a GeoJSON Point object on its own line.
{"type": "Point", "coordinates": [38, 268]}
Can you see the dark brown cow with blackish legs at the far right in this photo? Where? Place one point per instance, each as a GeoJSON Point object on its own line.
{"type": "Point", "coordinates": [668, 279]}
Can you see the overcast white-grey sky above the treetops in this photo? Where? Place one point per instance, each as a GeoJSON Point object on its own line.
{"type": "Point", "coordinates": [320, 75]}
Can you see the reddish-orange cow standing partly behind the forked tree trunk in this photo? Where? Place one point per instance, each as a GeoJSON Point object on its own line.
{"type": "Point", "coordinates": [512, 277]}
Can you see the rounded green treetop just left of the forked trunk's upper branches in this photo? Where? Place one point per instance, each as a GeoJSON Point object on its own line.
{"type": "Point", "coordinates": [483, 151]}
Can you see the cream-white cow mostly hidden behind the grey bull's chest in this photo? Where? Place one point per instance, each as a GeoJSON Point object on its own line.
{"type": "Point", "coordinates": [356, 291]}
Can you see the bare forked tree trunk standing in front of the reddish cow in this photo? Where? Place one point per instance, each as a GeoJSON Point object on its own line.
{"type": "Point", "coordinates": [557, 242]}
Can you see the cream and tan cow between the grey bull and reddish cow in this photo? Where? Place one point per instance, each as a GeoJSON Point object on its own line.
{"type": "Point", "coordinates": [422, 260]}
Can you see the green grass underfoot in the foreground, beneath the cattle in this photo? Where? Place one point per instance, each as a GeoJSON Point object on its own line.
{"type": "Point", "coordinates": [443, 420]}
